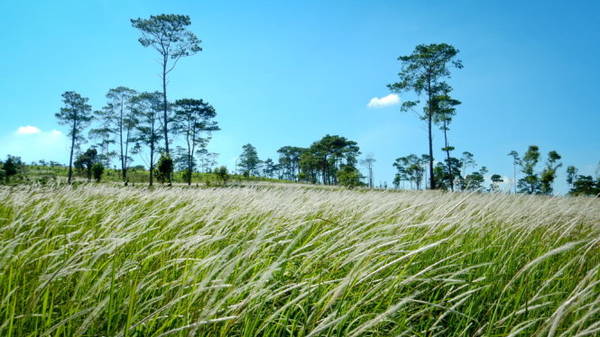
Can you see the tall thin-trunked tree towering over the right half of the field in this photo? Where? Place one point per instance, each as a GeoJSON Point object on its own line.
{"type": "Point", "coordinates": [424, 72]}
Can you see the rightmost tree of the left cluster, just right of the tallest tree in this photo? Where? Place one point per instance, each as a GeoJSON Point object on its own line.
{"type": "Point", "coordinates": [192, 118]}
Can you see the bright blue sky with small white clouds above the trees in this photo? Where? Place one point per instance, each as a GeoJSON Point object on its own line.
{"type": "Point", "coordinates": [289, 72]}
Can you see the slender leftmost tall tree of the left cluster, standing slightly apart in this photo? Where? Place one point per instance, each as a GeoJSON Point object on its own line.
{"type": "Point", "coordinates": [77, 115]}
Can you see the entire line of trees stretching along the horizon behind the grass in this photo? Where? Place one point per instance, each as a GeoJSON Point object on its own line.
{"type": "Point", "coordinates": [135, 122]}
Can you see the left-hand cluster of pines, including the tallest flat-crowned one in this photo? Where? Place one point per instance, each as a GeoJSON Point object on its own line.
{"type": "Point", "coordinates": [136, 122]}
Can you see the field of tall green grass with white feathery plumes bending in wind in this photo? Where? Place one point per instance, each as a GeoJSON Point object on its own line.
{"type": "Point", "coordinates": [294, 261]}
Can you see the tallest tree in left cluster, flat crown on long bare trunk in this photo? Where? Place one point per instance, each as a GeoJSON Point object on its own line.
{"type": "Point", "coordinates": [168, 35]}
